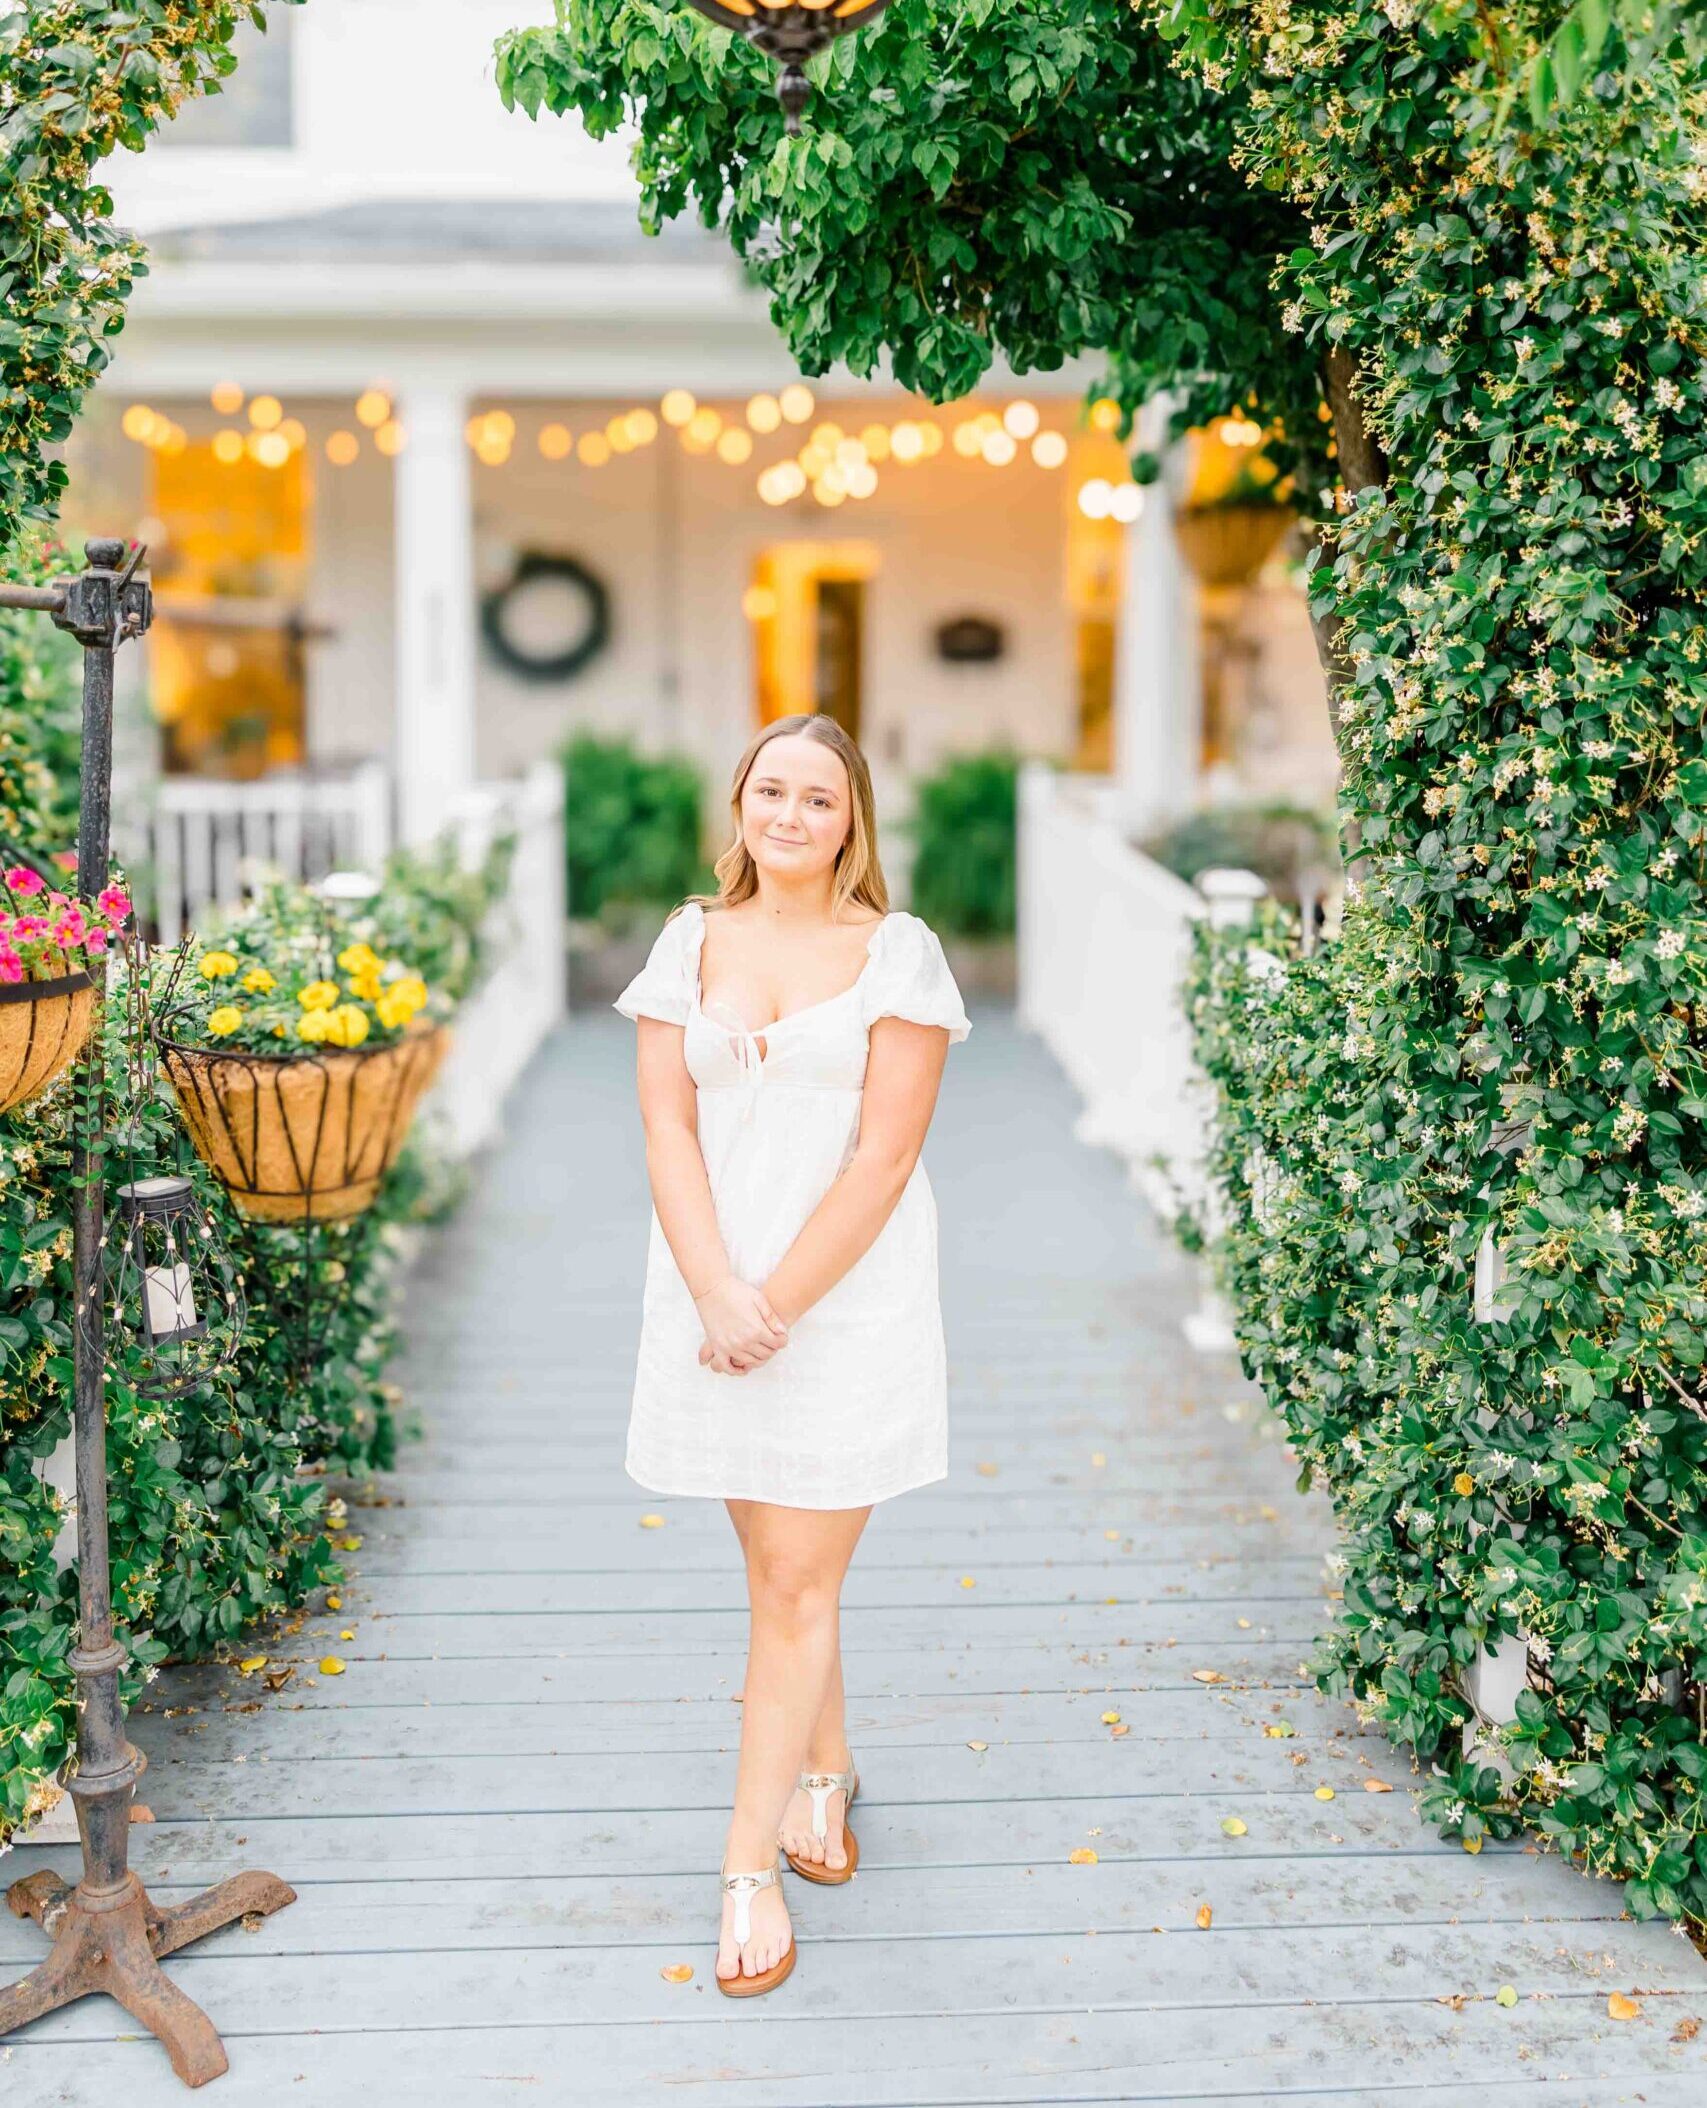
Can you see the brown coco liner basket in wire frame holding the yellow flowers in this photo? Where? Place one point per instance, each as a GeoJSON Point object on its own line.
{"type": "Point", "coordinates": [302, 1137]}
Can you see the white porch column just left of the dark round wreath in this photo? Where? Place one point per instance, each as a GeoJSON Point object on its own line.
{"type": "Point", "coordinates": [435, 610]}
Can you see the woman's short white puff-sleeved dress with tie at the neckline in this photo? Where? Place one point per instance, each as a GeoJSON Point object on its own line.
{"type": "Point", "coordinates": [855, 1407]}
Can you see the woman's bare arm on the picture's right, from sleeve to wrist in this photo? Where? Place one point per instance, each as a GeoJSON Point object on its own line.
{"type": "Point", "coordinates": [903, 1078]}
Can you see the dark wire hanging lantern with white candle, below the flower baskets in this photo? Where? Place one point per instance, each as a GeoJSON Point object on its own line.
{"type": "Point", "coordinates": [174, 1287]}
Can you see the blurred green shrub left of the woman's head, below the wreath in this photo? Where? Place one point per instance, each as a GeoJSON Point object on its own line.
{"type": "Point", "coordinates": [631, 825]}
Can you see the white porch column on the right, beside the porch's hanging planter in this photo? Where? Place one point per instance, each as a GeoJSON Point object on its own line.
{"type": "Point", "coordinates": [1158, 680]}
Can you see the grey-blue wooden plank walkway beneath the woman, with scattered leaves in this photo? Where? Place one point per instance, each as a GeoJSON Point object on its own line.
{"type": "Point", "coordinates": [505, 1820]}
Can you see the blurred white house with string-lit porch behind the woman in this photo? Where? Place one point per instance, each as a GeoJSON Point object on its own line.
{"type": "Point", "coordinates": [399, 345]}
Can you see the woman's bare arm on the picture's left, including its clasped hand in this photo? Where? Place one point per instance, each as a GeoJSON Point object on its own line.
{"type": "Point", "coordinates": [737, 1314]}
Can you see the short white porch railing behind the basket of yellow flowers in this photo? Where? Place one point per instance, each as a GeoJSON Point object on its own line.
{"type": "Point", "coordinates": [203, 832]}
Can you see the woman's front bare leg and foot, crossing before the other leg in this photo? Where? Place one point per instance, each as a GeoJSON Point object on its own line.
{"type": "Point", "coordinates": [796, 1563]}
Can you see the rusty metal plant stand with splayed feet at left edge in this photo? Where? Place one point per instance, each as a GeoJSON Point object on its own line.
{"type": "Point", "coordinates": [106, 1932]}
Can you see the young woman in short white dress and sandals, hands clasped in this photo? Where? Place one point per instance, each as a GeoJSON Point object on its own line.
{"type": "Point", "coordinates": [793, 1036]}
